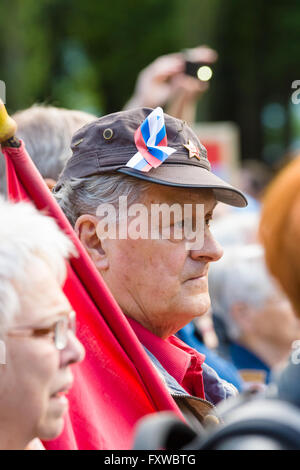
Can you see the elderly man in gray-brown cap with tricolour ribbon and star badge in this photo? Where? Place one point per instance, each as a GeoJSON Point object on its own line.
{"type": "Point", "coordinates": [156, 267]}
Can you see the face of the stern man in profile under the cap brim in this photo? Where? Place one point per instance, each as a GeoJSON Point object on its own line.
{"type": "Point", "coordinates": [162, 283]}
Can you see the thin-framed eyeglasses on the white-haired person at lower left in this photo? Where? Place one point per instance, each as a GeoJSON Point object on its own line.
{"type": "Point", "coordinates": [58, 331]}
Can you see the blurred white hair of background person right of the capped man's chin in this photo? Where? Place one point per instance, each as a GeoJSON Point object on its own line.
{"type": "Point", "coordinates": [240, 276]}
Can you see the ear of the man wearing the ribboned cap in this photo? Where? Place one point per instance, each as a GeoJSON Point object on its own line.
{"type": "Point", "coordinates": [86, 229]}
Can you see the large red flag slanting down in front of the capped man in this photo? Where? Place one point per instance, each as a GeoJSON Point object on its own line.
{"type": "Point", "coordinates": [116, 384]}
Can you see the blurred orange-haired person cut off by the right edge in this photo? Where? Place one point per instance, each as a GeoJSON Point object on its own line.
{"type": "Point", "coordinates": [279, 233]}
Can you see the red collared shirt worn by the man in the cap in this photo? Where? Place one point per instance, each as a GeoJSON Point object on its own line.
{"type": "Point", "coordinates": [180, 360]}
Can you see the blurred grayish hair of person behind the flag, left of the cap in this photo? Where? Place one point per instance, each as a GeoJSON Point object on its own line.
{"type": "Point", "coordinates": [47, 133]}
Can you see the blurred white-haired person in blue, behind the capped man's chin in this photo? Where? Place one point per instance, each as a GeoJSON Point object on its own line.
{"type": "Point", "coordinates": [258, 320]}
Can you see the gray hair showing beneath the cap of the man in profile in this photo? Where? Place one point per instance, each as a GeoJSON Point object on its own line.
{"type": "Point", "coordinates": [79, 196]}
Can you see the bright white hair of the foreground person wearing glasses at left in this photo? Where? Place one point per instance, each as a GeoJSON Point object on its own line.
{"type": "Point", "coordinates": [26, 236]}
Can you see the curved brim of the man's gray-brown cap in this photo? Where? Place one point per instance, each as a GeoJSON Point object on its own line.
{"type": "Point", "coordinates": [188, 176]}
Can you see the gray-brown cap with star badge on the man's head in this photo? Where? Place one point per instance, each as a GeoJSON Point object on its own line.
{"type": "Point", "coordinates": [107, 144]}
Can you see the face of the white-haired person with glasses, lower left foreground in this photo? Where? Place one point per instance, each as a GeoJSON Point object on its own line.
{"type": "Point", "coordinates": [36, 376]}
